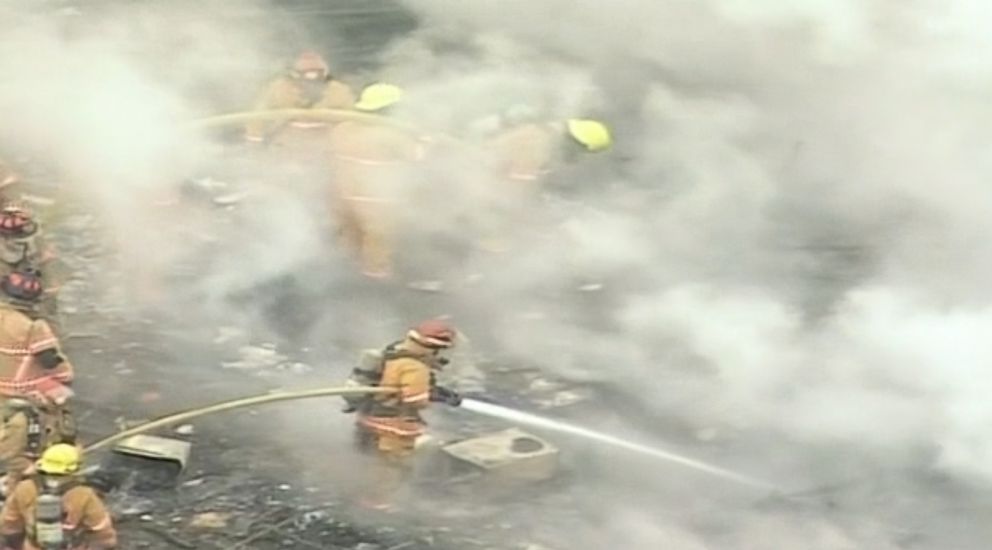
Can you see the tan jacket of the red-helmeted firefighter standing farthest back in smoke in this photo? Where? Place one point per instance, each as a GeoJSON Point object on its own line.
{"type": "Point", "coordinates": [289, 93]}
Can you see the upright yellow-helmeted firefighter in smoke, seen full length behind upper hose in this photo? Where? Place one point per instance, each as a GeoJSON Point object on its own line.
{"type": "Point", "coordinates": [371, 165]}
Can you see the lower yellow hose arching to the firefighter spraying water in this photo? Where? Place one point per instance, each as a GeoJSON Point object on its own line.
{"type": "Point", "coordinates": [229, 405]}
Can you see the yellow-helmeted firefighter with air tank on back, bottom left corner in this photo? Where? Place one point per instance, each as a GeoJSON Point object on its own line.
{"type": "Point", "coordinates": [55, 509]}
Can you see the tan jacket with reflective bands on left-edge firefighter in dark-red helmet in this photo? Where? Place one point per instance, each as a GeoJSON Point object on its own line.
{"type": "Point", "coordinates": [25, 345]}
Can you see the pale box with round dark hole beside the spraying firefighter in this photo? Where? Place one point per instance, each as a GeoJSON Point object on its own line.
{"type": "Point", "coordinates": [511, 455]}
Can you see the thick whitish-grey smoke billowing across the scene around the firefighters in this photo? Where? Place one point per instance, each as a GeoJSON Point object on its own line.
{"type": "Point", "coordinates": [790, 231]}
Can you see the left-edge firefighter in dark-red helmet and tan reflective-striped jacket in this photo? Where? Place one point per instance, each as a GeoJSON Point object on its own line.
{"type": "Point", "coordinates": [31, 362]}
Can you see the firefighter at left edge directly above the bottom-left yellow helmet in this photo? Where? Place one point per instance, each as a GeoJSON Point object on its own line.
{"type": "Point", "coordinates": [29, 427]}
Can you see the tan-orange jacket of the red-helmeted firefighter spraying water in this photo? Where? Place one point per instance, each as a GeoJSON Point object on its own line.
{"type": "Point", "coordinates": [398, 414]}
